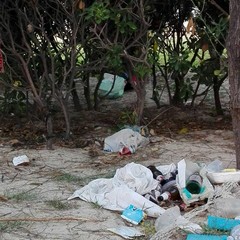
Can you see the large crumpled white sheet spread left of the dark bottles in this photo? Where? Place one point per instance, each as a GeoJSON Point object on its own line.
{"type": "Point", "coordinates": [123, 189]}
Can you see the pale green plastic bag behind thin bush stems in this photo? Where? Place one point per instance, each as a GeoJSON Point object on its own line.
{"type": "Point", "coordinates": [112, 86]}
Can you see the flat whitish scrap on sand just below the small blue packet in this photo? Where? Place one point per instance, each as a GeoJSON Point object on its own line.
{"type": "Point", "coordinates": [126, 232]}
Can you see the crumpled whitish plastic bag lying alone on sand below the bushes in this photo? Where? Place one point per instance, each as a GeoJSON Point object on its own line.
{"type": "Point", "coordinates": [124, 138]}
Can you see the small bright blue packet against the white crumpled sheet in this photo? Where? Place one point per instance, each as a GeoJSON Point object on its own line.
{"type": "Point", "coordinates": [133, 215]}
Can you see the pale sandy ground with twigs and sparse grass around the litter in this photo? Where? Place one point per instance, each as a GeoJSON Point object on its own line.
{"type": "Point", "coordinates": [33, 198]}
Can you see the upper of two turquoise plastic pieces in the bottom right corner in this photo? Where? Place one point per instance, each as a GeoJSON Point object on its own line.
{"type": "Point", "coordinates": [220, 223]}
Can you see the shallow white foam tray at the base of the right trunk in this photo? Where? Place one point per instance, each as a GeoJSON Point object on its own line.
{"type": "Point", "coordinates": [224, 176]}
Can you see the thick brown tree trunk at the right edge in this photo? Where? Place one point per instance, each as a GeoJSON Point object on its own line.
{"type": "Point", "coordinates": [234, 72]}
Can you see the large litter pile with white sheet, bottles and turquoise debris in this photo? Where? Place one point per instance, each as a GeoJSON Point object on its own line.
{"type": "Point", "coordinates": [139, 191]}
